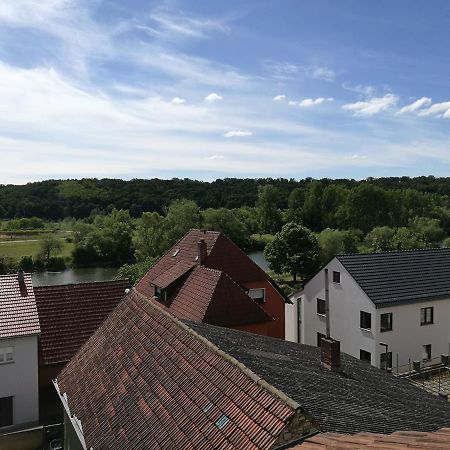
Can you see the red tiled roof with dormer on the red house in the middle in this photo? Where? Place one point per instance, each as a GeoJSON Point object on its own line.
{"type": "Point", "coordinates": [213, 292]}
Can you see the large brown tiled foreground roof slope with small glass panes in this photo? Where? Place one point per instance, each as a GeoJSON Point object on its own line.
{"type": "Point", "coordinates": [144, 380]}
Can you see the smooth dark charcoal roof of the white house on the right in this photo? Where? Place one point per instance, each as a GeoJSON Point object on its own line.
{"type": "Point", "coordinates": [403, 276]}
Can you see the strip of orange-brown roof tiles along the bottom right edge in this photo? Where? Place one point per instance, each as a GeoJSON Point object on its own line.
{"type": "Point", "coordinates": [399, 440]}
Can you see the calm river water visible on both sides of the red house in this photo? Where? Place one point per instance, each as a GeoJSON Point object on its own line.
{"type": "Point", "coordinates": [105, 273]}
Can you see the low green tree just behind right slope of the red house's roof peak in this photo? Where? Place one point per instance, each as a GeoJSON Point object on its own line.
{"type": "Point", "coordinates": [227, 222]}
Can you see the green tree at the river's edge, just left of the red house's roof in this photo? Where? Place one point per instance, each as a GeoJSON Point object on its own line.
{"type": "Point", "coordinates": [149, 239]}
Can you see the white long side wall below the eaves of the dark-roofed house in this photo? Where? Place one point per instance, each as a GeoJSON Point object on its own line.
{"type": "Point", "coordinates": [408, 337]}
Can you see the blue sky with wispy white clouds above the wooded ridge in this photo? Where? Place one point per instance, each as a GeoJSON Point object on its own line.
{"type": "Point", "coordinates": [225, 88]}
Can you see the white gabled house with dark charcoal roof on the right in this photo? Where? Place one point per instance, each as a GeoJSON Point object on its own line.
{"type": "Point", "coordinates": [391, 307]}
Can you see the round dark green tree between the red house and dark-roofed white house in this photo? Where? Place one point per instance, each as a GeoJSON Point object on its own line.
{"type": "Point", "coordinates": [294, 250]}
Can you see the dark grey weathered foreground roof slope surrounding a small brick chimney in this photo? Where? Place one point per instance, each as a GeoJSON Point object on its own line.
{"type": "Point", "coordinates": [361, 399]}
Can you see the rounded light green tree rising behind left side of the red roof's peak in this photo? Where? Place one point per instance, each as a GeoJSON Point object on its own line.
{"type": "Point", "coordinates": [182, 215]}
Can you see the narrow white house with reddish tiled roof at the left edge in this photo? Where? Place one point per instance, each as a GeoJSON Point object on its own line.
{"type": "Point", "coordinates": [19, 330]}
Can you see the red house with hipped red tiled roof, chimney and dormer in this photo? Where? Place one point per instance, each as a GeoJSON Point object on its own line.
{"type": "Point", "coordinates": [205, 277]}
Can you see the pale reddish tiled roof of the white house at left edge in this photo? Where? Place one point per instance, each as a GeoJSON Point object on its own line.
{"type": "Point", "coordinates": [18, 313]}
